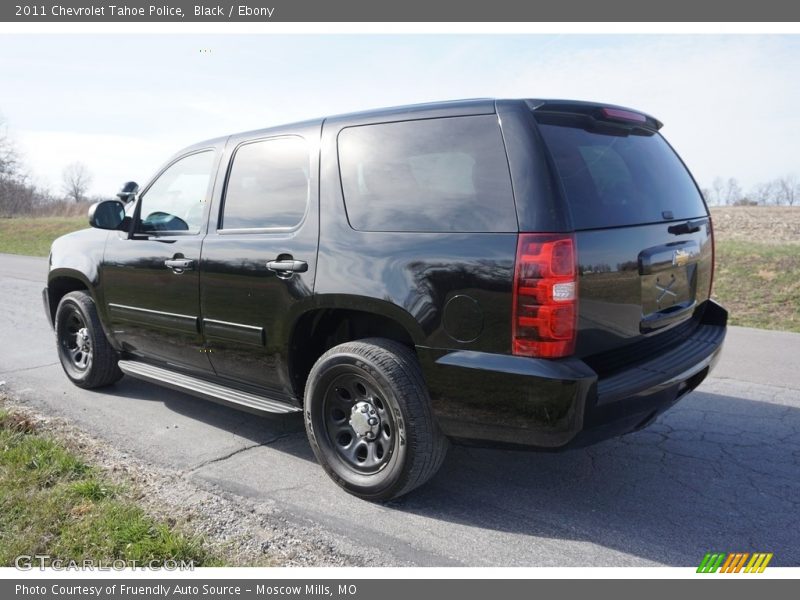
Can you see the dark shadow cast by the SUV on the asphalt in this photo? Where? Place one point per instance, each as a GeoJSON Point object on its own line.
{"type": "Point", "coordinates": [715, 473]}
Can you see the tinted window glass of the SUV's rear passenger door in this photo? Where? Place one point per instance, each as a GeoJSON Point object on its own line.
{"type": "Point", "coordinates": [268, 185]}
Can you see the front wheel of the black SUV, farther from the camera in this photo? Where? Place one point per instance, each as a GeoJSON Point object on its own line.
{"type": "Point", "coordinates": [83, 349]}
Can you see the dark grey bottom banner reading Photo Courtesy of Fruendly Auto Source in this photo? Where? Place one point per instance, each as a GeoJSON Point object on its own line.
{"type": "Point", "coordinates": [397, 589]}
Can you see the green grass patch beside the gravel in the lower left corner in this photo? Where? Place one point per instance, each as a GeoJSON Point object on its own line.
{"type": "Point", "coordinates": [52, 503]}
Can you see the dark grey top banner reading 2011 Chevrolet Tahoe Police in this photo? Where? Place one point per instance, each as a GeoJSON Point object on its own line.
{"type": "Point", "coordinates": [249, 11]}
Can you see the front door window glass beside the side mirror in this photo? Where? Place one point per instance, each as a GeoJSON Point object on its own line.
{"type": "Point", "coordinates": [175, 201]}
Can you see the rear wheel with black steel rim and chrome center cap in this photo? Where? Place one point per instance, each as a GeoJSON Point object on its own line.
{"type": "Point", "coordinates": [369, 420]}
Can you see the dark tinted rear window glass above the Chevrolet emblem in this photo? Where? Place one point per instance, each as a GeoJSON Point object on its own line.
{"type": "Point", "coordinates": [614, 179]}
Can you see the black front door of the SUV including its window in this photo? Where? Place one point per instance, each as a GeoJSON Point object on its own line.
{"type": "Point", "coordinates": [151, 278]}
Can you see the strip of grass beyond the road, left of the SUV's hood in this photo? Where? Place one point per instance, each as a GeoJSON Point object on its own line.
{"type": "Point", "coordinates": [33, 235]}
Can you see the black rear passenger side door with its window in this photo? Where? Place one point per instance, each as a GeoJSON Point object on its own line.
{"type": "Point", "coordinates": [259, 258]}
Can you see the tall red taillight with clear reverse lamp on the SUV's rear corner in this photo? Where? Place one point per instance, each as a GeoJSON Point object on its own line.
{"type": "Point", "coordinates": [545, 296]}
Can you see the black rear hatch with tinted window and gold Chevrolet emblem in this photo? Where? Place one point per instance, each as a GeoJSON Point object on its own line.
{"type": "Point", "coordinates": [642, 231]}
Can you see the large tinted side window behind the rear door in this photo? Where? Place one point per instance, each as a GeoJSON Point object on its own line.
{"type": "Point", "coordinates": [428, 175]}
